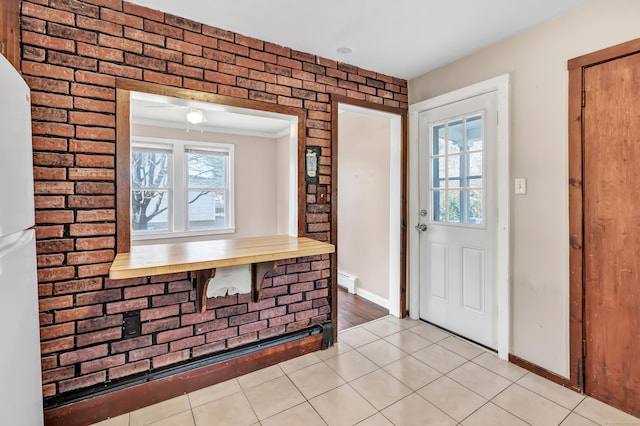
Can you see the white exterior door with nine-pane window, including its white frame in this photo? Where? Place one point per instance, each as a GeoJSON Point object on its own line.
{"type": "Point", "coordinates": [460, 192]}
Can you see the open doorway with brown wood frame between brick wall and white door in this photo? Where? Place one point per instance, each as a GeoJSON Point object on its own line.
{"type": "Point", "coordinates": [367, 199]}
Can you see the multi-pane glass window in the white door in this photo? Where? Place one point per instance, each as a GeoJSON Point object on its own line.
{"type": "Point", "coordinates": [457, 170]}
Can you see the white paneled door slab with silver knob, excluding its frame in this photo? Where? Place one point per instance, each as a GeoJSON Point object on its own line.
{"type": "Point", "coordinates": [458, 205]}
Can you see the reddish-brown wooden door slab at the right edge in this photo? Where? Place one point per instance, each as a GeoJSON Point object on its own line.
{"type": "Point", "coordinates": [611, 120]}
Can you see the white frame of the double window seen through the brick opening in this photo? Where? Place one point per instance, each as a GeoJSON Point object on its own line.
{"type": "Point", "coordinates": [178, 216]}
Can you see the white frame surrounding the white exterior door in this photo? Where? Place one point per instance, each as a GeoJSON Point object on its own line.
{"type": "Point", "coordinates": [501, 85]}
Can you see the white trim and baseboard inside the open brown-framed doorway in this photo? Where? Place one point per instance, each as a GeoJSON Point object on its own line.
{"type": "Point", "coordinates": [395, 206]}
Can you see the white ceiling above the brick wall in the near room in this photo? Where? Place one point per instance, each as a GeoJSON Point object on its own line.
{"type": "Point", "coordinates": [400, 38]}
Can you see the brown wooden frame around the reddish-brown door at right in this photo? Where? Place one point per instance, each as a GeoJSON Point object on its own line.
{"type": "Point", "coordinates": [576, 67]}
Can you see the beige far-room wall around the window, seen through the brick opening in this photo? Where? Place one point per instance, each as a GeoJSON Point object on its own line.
{"type": "Point", "coordinates": [256, 179]}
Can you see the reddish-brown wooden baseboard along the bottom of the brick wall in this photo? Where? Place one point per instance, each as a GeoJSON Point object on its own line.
{"type": "Point", "coordinates": [122, 401]}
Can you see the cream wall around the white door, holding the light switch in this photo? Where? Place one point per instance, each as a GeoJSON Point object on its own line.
{"type": "Point", "coordinates": [537, 62]}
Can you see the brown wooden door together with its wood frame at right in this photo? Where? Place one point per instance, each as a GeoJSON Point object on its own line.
{"type": "Point", "coordinates": [604, 223]}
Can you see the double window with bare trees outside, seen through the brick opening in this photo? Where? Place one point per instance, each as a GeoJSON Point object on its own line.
{"type": "Point", "coordinates": [180, 188]}
